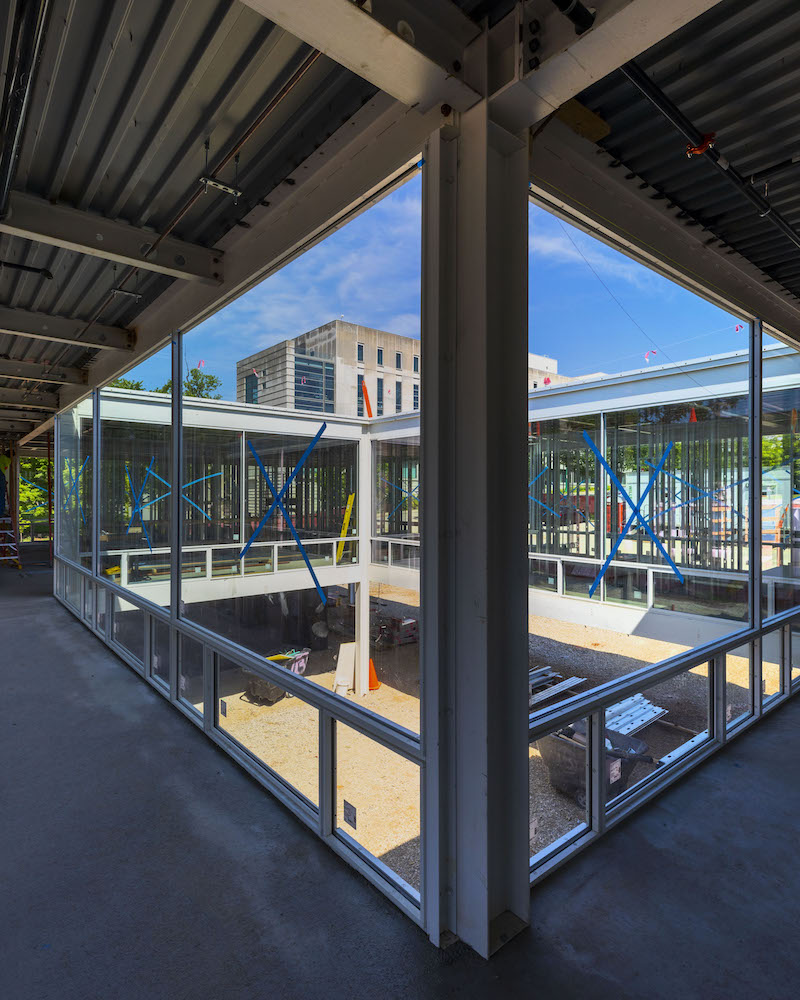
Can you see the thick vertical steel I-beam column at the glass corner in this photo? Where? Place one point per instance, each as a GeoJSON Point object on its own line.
{"type": "Point", "coordinates": [474, 524]}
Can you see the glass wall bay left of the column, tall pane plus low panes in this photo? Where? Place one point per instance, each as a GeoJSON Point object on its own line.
{"type": "Point", "coordinates": [277, 529]}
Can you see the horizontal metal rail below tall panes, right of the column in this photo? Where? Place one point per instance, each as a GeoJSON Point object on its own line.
{"type": "Point", "coordinates": [547, 720]}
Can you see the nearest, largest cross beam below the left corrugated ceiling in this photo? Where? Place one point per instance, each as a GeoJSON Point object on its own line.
{"type": "Point", "coordinates": [33, 218]}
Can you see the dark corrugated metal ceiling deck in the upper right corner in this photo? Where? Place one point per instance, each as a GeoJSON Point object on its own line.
{"type": "Point", "coordinates": [734, 71]}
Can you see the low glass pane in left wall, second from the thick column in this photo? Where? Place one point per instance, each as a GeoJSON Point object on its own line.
{"type": "Point", "coordinates": [278, 729]}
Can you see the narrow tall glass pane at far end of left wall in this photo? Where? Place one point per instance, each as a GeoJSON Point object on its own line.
{"type": "Point", "coordinates": [74, 465]}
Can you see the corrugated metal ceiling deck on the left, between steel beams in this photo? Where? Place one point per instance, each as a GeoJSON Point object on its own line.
{"type": "Point", "coordinates": [126, 93]}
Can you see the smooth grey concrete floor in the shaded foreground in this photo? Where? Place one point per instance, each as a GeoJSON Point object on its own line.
{"type": "Point", "coordinates": [137, 860]}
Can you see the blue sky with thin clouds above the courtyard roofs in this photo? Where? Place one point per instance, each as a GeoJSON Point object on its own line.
{"type": "Point", "coordinates": [591, 308]}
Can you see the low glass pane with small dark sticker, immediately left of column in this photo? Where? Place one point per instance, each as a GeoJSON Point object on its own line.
{"type": "Point", "coordinates": [378, 802]}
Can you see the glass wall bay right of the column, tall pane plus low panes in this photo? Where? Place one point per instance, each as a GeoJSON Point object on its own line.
{"type": "Point", "coordinates": [639, 517]}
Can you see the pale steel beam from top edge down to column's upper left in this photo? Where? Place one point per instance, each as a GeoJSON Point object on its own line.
{"type": "Point", "coordinates": [410, 50]}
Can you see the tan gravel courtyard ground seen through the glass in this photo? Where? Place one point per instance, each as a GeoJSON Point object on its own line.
{"type": "Point", "coordinates": [384, 788]}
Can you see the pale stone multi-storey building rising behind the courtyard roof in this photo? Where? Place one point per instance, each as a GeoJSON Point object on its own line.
{"type": "Point", "coordinates": [322, 371]}
